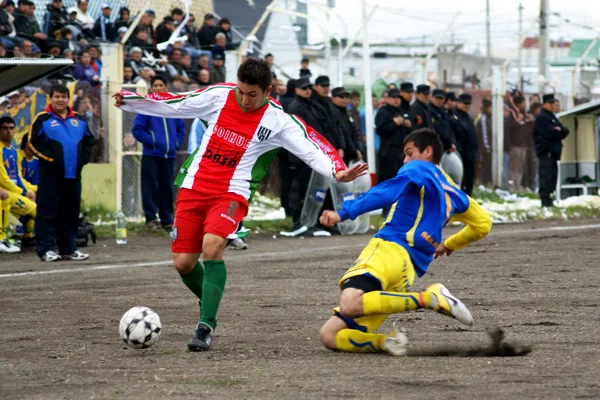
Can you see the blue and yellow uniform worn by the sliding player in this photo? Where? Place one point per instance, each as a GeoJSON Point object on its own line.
{"type": "Point", "coordinates": [423, 200]}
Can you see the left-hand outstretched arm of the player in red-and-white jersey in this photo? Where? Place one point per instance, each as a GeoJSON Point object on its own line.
{"type": "Point", "coordinates": [198, 104]}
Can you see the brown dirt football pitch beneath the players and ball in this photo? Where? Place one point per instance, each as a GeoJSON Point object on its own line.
{"type": "Point", "coordinates": [538, 282]}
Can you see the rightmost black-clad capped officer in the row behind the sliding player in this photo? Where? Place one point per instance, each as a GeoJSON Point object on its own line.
{"type": "Point", "coordinates": [467, 137]}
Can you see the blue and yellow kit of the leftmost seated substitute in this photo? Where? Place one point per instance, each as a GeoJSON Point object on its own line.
{"type": "Point", "coordinates": [12, 181]}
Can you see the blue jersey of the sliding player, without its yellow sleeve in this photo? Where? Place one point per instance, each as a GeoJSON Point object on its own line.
{"type": "Point", "coordinates": [423, 201]}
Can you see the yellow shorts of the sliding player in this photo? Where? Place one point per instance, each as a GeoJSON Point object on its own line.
{"type": "Point", "coordinates": [386, 262]}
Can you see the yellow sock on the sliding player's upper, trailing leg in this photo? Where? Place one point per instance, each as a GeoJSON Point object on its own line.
{"type": "Point", "coordinates": [385, 303]}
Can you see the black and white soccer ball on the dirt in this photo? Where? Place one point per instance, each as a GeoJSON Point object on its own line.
{"type": "Point", "coordinates": [140, 327]}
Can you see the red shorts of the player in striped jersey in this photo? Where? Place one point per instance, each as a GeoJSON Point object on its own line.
{"type": "Point", "coordinates": [196, 215]}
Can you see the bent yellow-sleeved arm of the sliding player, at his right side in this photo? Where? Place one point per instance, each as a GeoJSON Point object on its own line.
{"type": "Point", "coordinates": [478, 224]}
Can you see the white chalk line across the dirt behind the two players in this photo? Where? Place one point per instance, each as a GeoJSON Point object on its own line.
{"type": "Point", "coordinates": [263, 255]}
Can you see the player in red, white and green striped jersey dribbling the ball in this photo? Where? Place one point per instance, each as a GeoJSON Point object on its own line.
{"type": "Point", "coordinates": [244, 131]}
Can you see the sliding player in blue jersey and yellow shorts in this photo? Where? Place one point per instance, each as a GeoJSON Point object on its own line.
{"type": "Point", "coordinates": [423, 200]}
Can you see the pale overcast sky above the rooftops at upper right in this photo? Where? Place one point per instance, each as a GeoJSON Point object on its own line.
{"type": "Point", "coordinates": [401, 19]}
